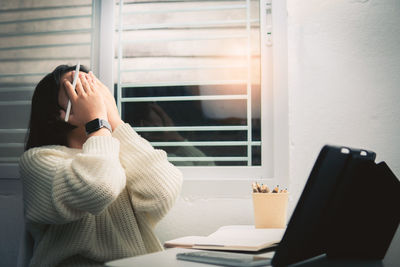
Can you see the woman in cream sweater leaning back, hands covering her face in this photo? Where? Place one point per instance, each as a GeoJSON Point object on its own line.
{"type": "Point", "coordinates": [90, 195]}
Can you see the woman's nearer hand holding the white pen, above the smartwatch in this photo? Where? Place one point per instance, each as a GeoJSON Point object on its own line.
{"type": "Point", "coordinates": [87, 102]}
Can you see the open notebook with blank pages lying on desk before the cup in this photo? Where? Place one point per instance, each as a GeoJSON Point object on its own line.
{"type": "Point", "coordinates": [233, 237]}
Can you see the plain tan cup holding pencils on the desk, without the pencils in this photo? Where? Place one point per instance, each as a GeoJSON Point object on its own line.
{"type": "Point", "coordinates": [270, 210]}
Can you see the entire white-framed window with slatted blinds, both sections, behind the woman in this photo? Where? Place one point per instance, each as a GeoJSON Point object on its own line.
{"type": "Point", "coordinates": [199, 79]}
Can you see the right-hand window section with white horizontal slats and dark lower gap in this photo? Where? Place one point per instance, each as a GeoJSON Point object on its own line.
{"type": "Point", "coordinates": [189, 77]}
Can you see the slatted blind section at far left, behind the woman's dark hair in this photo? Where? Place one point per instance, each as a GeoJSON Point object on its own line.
{"type": "Point", "coordinates": [35, 37]}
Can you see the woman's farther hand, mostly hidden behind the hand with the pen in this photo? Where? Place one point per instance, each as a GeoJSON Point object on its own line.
{"type": "Point", "coordinates": [112, 110]}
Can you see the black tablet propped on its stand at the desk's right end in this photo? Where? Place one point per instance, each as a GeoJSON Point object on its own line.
{"type": "Point", "coordinates": [320, 212]}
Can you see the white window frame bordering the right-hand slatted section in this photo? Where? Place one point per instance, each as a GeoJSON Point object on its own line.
{"type": "Point", "coordinates": [274, 96]}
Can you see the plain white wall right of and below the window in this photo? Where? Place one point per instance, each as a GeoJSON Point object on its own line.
{"type": "Point", "coordinates": [344, 89]}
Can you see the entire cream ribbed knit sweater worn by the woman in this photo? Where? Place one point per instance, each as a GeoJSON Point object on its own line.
{"type": "Point", "coordinates": [91, 205]}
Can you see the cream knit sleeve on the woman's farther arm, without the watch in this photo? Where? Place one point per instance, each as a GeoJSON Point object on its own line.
{"type": "Point", "coordinates": [152, 182]}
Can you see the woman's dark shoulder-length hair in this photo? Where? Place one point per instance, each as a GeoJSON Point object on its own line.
{"type": "Point", "coordinates": [45, 125]}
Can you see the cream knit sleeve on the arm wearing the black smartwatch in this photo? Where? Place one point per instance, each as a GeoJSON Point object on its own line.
{"type": "Point", "coordinates": [60, 187]}
